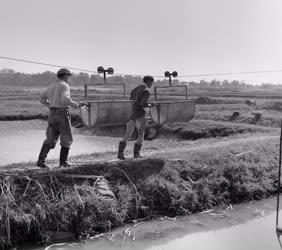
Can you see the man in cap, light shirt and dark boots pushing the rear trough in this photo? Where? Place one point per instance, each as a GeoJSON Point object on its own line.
{"type": "Point", "coordinates": [57, 98]}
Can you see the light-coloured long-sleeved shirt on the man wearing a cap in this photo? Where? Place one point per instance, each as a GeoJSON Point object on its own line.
{"type": "Point", "coordinates": [57, 95]}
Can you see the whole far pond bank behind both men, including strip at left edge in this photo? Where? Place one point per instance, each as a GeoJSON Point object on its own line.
{"type": "Point", "coordinates": [192, 130]}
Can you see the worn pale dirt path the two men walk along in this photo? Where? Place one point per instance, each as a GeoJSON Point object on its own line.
{"type": "Point", "coordinates": [167, 149]}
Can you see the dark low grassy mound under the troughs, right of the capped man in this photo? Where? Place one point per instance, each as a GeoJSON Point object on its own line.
{"type": "Point", "coordinates": [192, 130]}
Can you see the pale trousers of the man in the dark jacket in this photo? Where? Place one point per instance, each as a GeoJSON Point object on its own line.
{"type": "Point", "coordinates": [140, 124]}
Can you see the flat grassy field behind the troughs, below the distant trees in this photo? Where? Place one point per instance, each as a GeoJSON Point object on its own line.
{"type": "Point", "coordinates": [24, 102]}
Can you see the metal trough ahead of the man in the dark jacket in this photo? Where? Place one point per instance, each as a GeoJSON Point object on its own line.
{"type": "Point", "coordinates": [173, 111]}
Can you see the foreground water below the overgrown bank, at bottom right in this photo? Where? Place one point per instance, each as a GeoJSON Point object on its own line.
{"type": "Point", "coordinates": [249, 226]}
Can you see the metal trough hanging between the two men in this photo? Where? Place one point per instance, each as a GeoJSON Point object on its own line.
{"type": "Point", "coordinates": [106, 113]}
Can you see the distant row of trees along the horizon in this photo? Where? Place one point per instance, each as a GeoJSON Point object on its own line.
{"type": "Point", "coordinates": [9, 77]}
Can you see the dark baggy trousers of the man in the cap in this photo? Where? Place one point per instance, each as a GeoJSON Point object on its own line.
{"type": "Point", "coordinates": [59, 125]}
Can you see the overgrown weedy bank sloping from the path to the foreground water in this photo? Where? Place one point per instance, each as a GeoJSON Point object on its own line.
{"type": "Point", "coordinates": [142, 189]}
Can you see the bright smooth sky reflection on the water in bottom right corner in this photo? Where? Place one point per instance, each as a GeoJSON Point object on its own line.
{"type": "Point", "coordinates": [258, 234]}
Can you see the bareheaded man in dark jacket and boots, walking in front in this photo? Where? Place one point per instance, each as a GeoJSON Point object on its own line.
{"type": "Point", "coordinates": [140, 97]}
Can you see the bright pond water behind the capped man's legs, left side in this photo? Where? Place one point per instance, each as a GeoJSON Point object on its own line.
{"type": "Point", "coordinates": [21, 141]}
